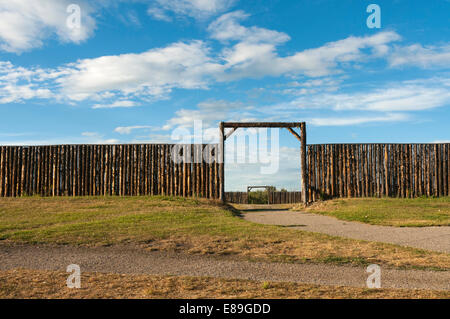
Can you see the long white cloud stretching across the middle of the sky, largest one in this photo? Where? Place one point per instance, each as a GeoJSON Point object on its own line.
{"type": "Point", "coordinates": [153, 74]}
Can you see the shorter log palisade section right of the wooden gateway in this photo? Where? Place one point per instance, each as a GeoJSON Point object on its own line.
{"type": "Point", "coordinates": [375, 170]}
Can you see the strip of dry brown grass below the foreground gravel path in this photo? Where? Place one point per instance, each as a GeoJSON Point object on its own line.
{"type": "Point", "coordinates": [52, 284]}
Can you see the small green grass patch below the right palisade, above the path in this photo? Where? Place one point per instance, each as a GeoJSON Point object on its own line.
{"type": "Point", "coordinates": [415, 212]}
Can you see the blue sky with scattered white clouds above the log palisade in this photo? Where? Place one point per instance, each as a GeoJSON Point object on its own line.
{"type": "Point", "coordinates": [136, 71]}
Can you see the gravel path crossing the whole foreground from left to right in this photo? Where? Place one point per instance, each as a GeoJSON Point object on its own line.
{"type": "Point", "coordinates": [130, 260]}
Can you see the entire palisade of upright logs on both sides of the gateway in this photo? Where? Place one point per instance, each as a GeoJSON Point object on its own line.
{"type": "Point", "coordinates": [333, 170]}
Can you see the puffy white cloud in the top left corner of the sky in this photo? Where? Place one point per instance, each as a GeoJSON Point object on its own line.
{"type": "Point", "coordinates": [25, 25]}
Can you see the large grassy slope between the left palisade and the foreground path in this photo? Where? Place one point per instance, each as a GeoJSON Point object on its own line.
{"type": "Point", "coordinates": [190, 226]}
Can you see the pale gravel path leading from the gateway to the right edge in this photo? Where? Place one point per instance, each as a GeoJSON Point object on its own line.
{"type": "Point", "coordinates": [430, 238]}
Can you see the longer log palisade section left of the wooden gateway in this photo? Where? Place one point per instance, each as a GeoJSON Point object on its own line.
{"type": "Point", "coordinates": [123, 170]}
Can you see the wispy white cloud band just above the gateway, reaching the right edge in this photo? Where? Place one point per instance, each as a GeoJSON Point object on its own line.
{"type": "Point", "coordinates": [391, 102]}
